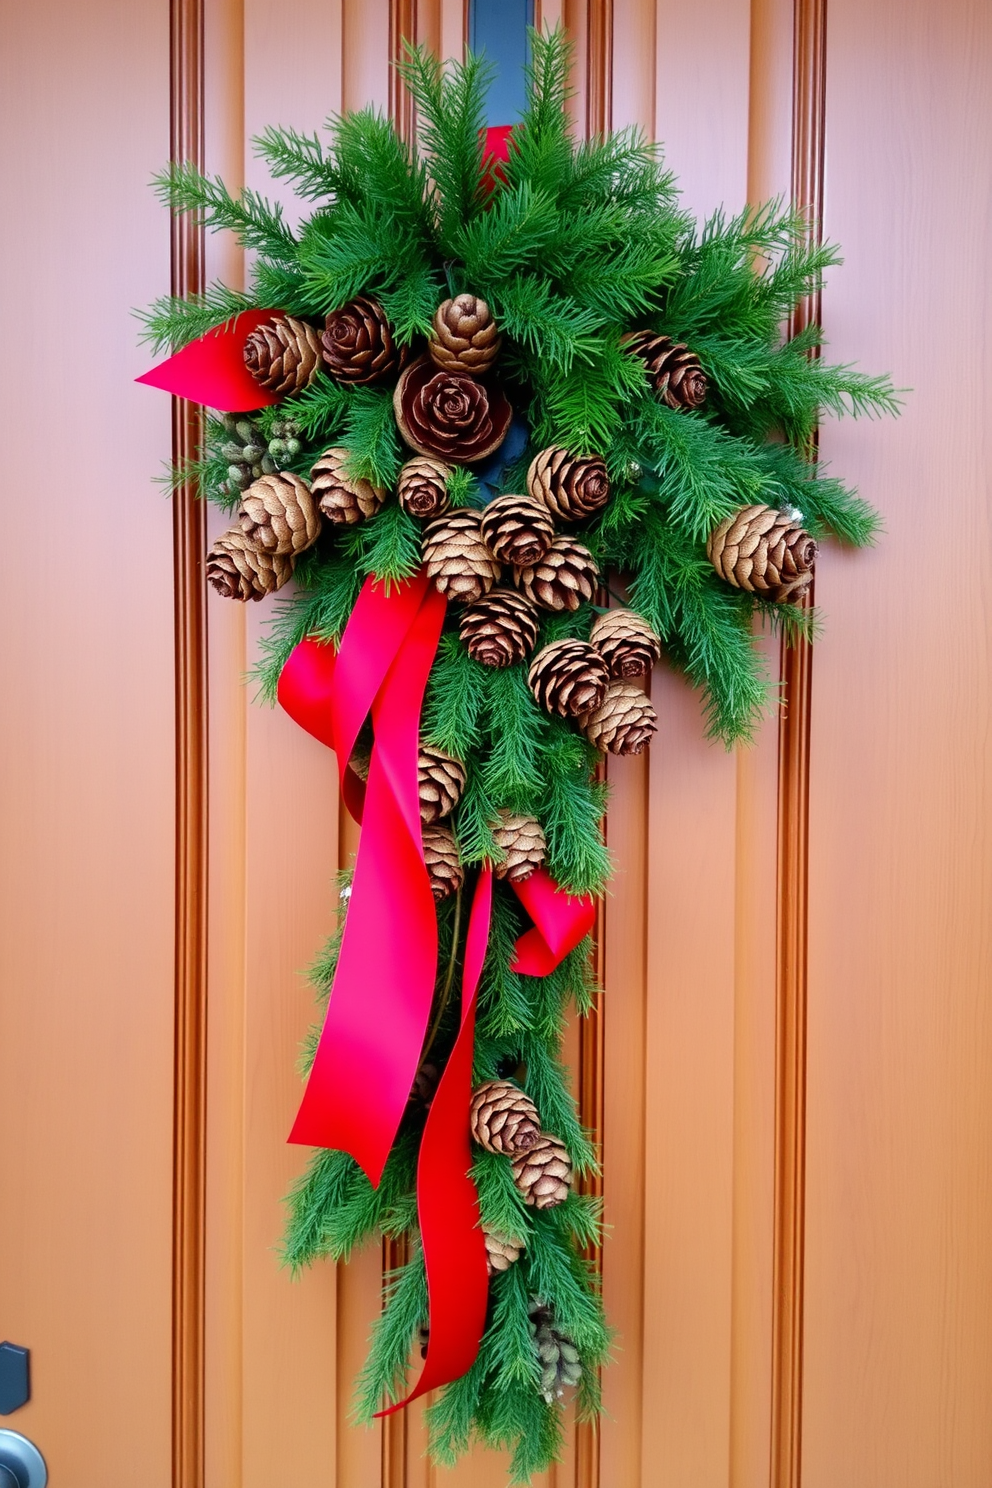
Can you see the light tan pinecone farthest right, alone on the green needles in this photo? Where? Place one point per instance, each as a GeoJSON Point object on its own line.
{"type": "Point", "coordinates": [765, 553]}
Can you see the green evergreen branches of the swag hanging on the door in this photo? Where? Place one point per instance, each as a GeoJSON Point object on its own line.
{"type": "Point", "coordinates": [701, 414]}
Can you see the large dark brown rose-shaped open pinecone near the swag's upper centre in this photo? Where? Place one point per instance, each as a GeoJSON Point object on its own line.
{"type": "Point", "coordinates": [448, 414]}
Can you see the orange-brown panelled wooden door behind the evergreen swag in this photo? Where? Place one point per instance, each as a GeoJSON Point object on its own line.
{"type": "Point", "coordinates": [790, 1063]}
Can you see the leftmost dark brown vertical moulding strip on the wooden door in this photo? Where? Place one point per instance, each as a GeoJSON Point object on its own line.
{"type": "Point", "coordinates": [190, 539]}
